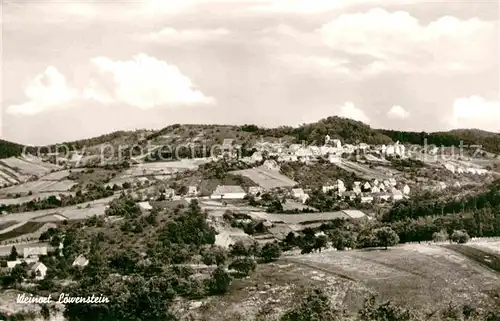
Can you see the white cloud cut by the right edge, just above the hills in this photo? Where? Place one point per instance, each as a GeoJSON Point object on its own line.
{"type": "Point", "coordinates": [476, 112]}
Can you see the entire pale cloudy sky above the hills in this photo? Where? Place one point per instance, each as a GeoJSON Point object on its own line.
{"type": "Point", "coordinates": [76, 69]}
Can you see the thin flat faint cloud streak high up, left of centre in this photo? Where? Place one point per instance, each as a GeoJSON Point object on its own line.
{"type": "Point", "coordinates": [171, 34]}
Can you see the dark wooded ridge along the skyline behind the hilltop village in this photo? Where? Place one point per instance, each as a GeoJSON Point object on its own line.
{"type": "Point", "coordinates": [348, 130]}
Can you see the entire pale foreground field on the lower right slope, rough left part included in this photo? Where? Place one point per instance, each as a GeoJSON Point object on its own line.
{"type": "Point", "coordinates": [423, 277]}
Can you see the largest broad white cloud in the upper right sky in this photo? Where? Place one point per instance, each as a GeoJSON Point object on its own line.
{"type": "Point", "coordinates": [399, 42]}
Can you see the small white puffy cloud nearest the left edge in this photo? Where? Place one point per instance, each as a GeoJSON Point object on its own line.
{"type": "Point", "coordinates": [45, 91]}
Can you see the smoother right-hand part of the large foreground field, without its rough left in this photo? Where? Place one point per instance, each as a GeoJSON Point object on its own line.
{"type": "Point", "coordinates": [422, 276]}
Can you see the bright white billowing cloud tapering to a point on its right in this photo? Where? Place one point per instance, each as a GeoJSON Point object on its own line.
{"type": "Point", "coordinates": [146, 82]}
